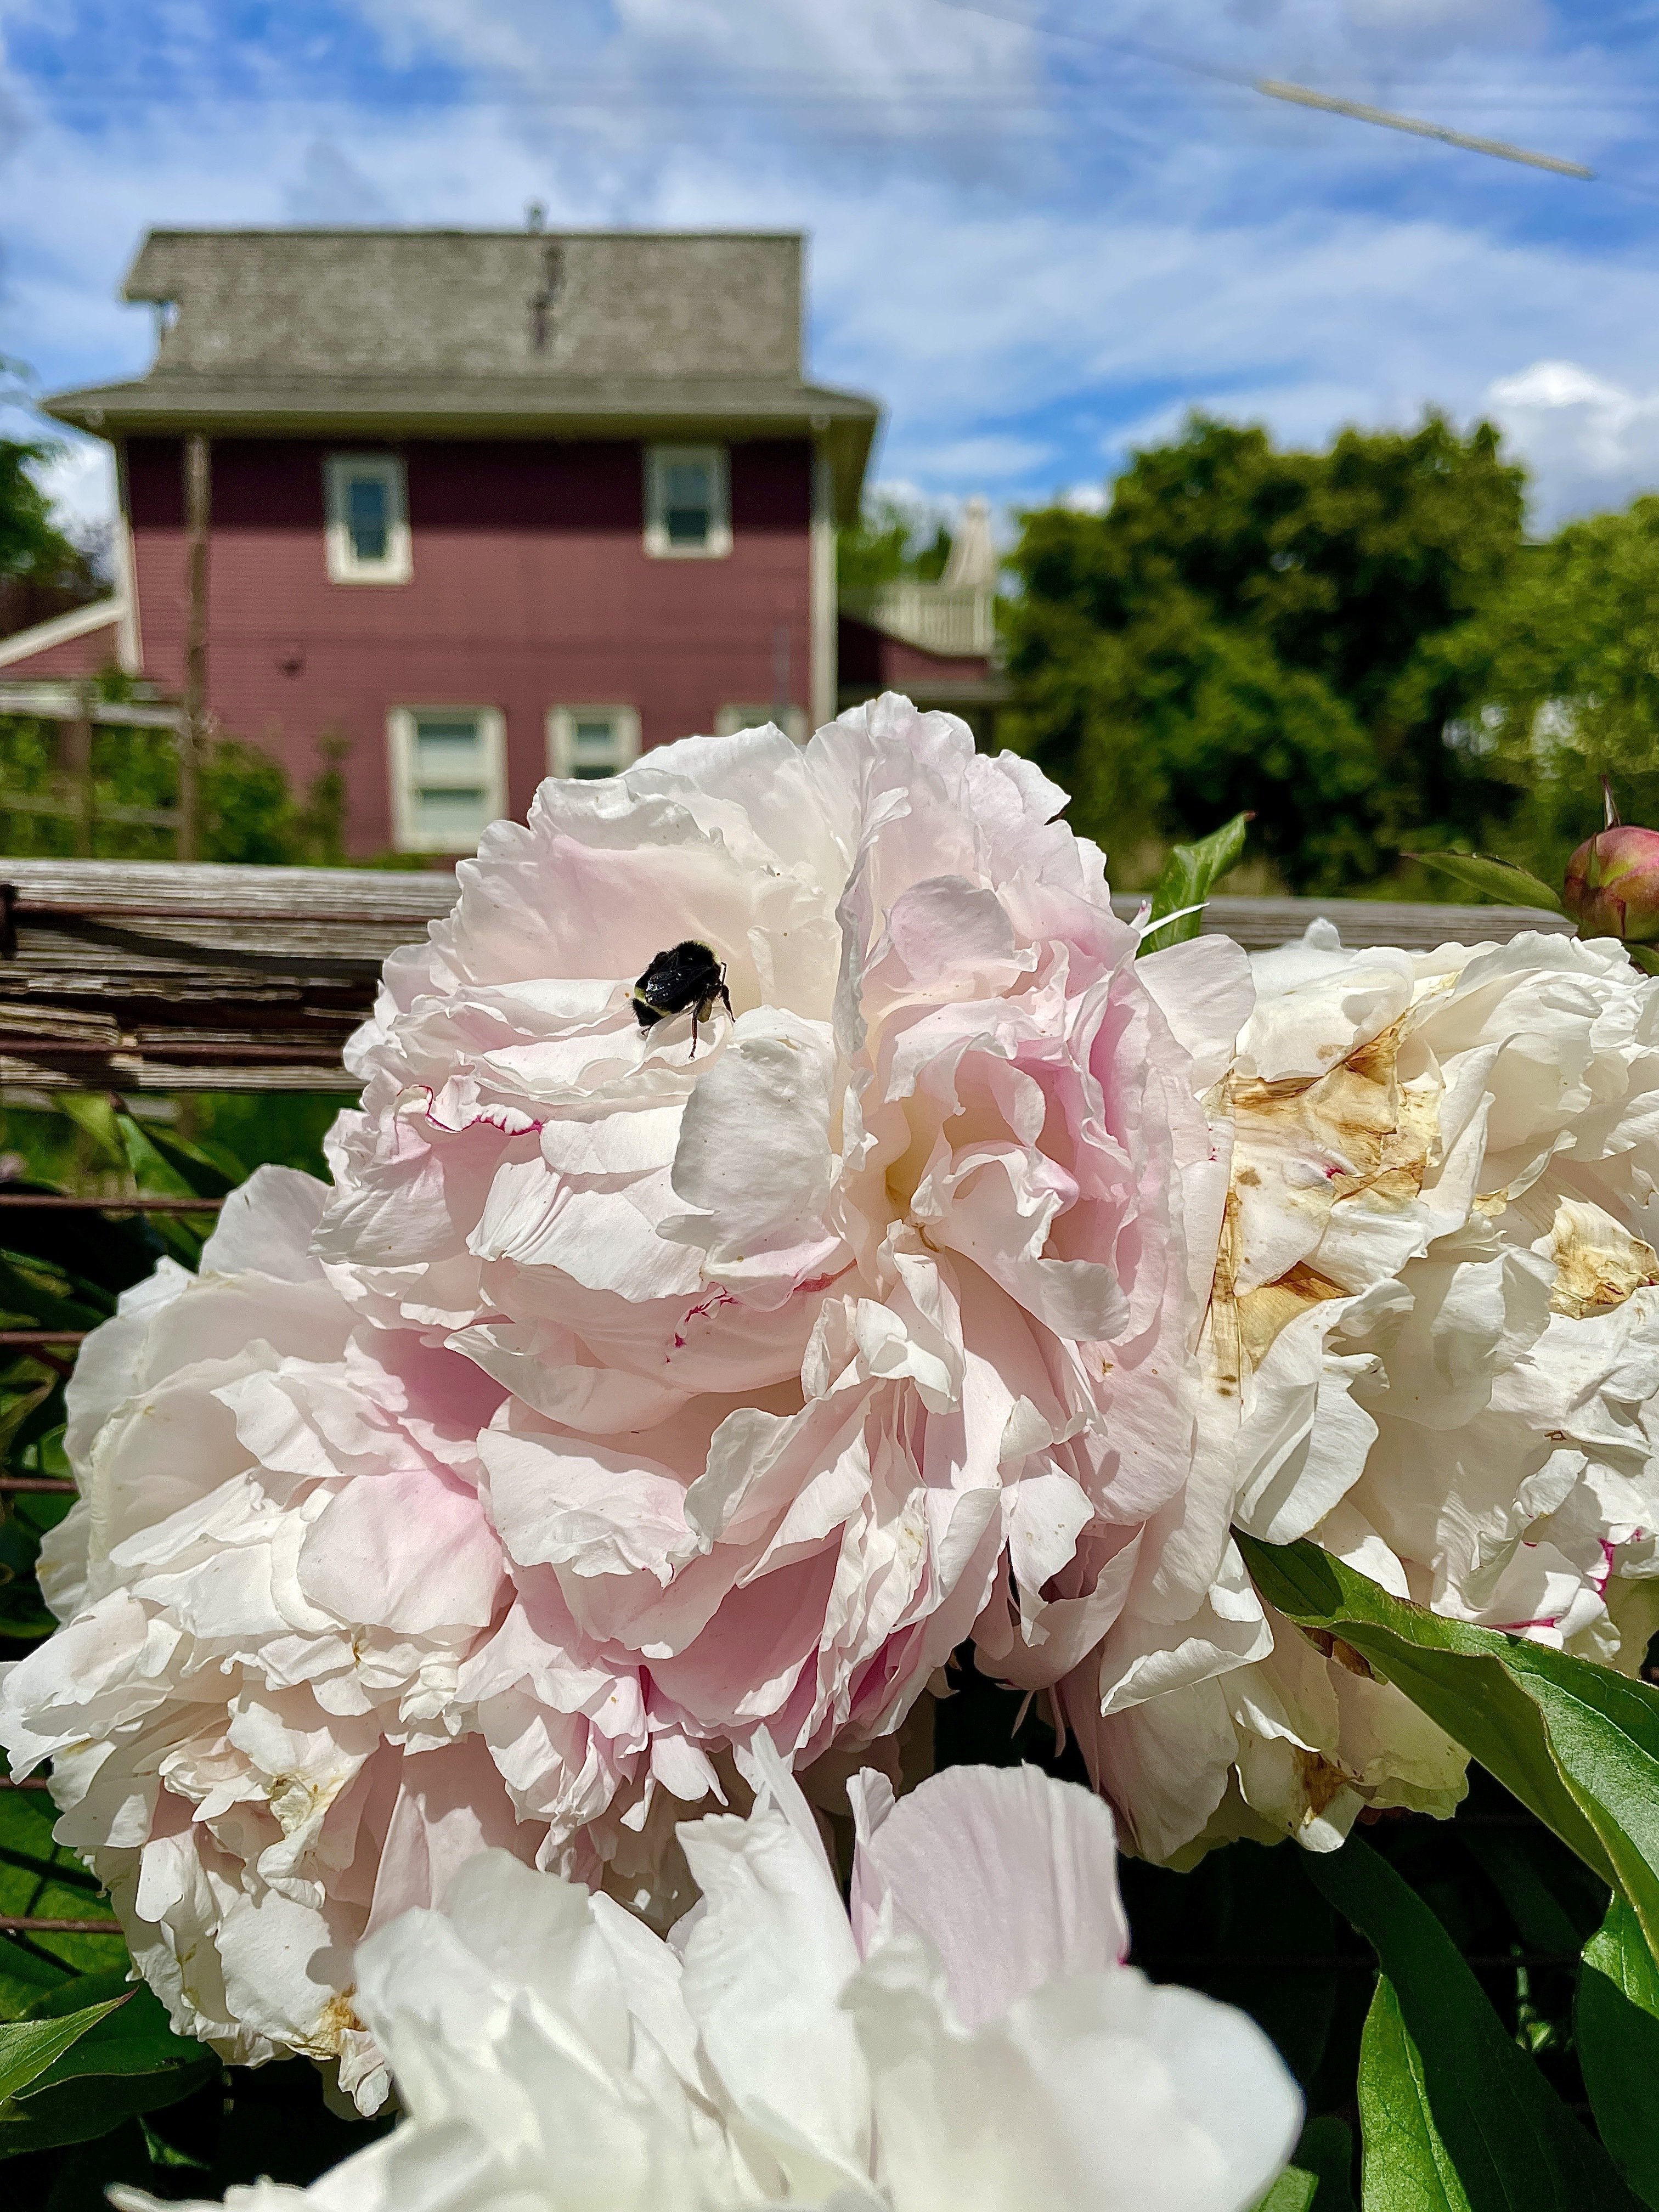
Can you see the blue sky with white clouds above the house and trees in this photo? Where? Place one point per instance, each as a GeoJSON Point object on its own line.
{"type": "Point", "coordinates": [1039, 233]}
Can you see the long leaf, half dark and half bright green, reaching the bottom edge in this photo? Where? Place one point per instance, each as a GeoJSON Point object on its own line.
{"type": "Point", "coordinates": [1454, 2116]}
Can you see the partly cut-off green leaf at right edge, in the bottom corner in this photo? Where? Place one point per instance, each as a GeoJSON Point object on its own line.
{"type": "Point", "coordinates": [1616, 2025]}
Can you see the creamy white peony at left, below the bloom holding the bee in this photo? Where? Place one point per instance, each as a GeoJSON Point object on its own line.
{"type": "Point", "coordinates": [273, 1580]}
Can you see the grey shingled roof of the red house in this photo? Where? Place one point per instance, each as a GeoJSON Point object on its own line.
{"type": "Point", "coordinates": [477, 333]}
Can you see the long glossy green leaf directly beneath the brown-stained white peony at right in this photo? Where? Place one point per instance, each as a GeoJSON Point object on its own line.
{"type": "Point", "coordinates": [1574, 1742]}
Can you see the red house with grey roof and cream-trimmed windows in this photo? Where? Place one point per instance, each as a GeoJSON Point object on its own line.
{"type": "Point", "coordinates": [486, 505]}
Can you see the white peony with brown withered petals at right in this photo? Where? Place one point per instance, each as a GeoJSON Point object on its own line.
{"type": "Point", "coordinates": [1434, 1348]}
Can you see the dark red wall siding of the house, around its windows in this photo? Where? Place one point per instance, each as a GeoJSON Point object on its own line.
{"type": "Point", "coordinates": [532, 589]}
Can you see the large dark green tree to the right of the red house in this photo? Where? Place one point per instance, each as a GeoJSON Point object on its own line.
{"type": "Point", "coordinates": [1253, 629]}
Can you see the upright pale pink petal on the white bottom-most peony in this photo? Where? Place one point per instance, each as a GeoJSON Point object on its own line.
{"type": "Point", "coordinates": [1010, 1877]}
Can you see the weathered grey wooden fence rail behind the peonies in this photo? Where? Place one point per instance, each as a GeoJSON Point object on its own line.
{"type": "Point", "coordinates": [152, 977]}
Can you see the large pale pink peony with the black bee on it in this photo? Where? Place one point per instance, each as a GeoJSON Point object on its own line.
{"type": "Point", "coordinates": [835, 1331]}
